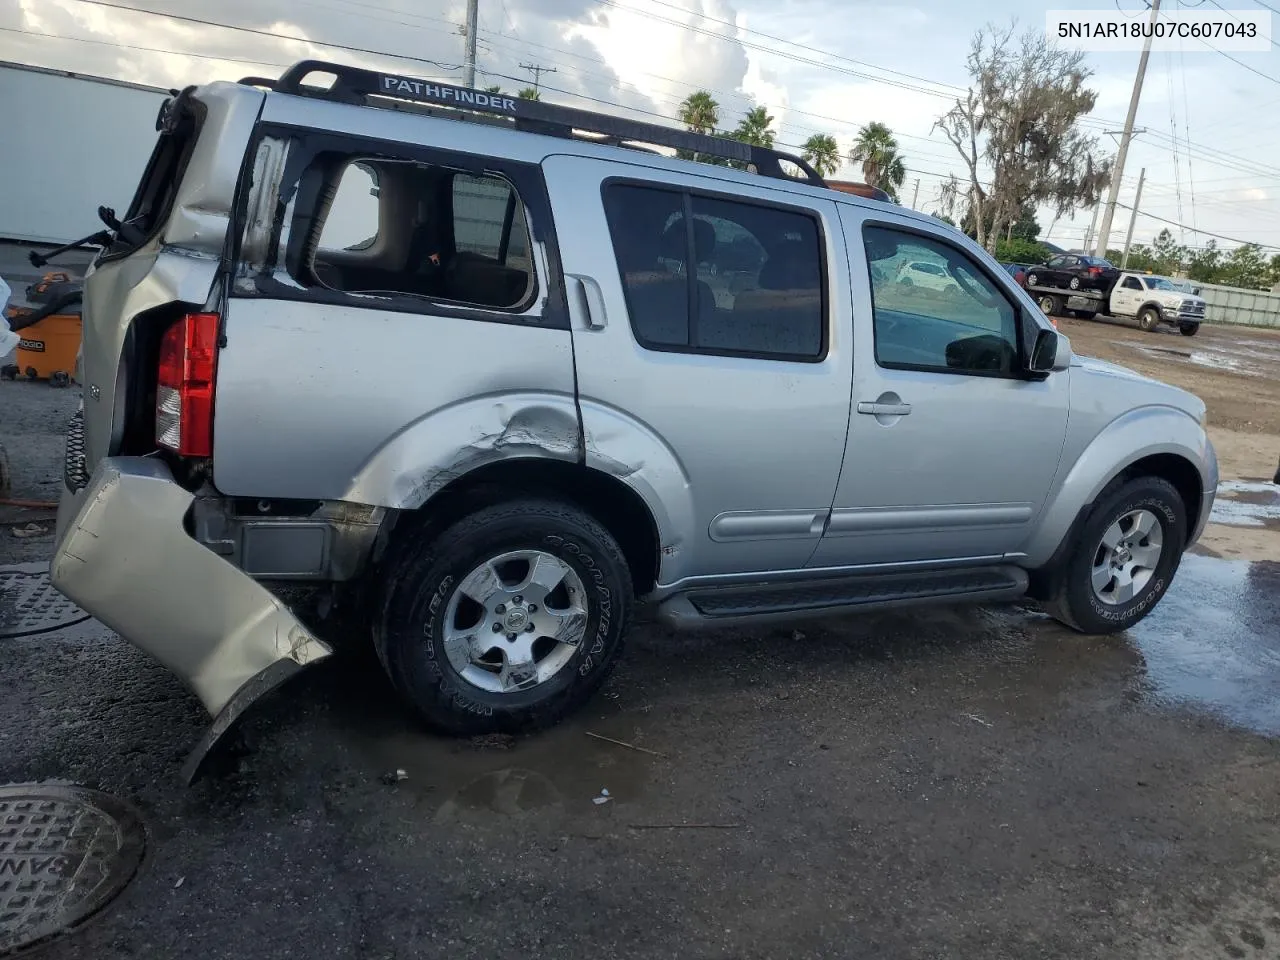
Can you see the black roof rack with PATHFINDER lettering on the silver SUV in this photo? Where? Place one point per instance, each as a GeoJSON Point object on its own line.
{"type": "Point", "coordinates": [354, 85]}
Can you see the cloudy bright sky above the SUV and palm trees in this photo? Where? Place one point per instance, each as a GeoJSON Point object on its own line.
{"type": "Point", "coordinates": [819, 66]}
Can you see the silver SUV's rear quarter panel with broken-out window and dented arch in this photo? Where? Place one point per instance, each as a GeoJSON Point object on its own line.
{"type": "Point", "coordinates": [403, 324]}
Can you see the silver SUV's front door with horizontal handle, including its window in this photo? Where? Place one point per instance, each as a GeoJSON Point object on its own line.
{"type": "Point", "coordinates": [952, 454]}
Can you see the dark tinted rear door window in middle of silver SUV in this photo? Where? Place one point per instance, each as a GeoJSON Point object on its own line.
{"type": "Point", "coordinates": [714, 276]}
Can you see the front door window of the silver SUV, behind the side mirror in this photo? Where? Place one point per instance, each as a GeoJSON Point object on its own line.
{"type": "Point", "coordinates": [958, 323]}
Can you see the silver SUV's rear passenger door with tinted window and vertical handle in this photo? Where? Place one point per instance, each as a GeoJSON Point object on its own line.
{"type": "Point", "coordinates": [719, 340]}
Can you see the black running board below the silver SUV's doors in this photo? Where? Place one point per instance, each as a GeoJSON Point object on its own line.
{"type": "Point", "coordinates": [820, 598]}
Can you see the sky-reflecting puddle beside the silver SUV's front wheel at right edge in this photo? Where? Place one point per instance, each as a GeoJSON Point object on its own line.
{"type": "Point", "coordinates": [1214, 642]}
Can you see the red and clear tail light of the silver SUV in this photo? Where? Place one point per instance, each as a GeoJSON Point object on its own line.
{"type": "Point", "coordinates": [185, 387]}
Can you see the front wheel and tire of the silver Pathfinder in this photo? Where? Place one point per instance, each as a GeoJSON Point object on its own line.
{"type": "Point", "coordinates": [1081, 604]}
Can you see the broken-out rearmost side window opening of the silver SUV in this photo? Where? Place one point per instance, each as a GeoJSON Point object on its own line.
{"type": "Point", "coordinates": [405, 228]}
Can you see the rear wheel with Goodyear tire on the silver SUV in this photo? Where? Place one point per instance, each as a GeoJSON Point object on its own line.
{"type": "Point", "coordinates": [423, 606]}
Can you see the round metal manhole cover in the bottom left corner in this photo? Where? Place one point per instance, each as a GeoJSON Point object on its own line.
{"type": "Point", "coordinates": [65, 853]}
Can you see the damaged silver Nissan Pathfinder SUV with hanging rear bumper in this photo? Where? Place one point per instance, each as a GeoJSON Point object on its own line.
{"type": "Point", "coordinates": [479, 387]}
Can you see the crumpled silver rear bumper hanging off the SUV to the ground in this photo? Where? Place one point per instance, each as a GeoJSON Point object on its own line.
{"type": "Point", "coordinates": [126, 557]}
